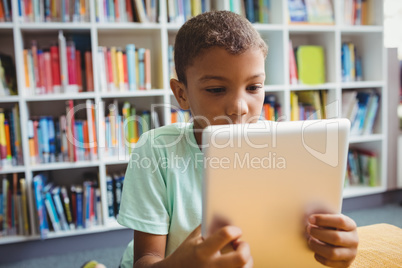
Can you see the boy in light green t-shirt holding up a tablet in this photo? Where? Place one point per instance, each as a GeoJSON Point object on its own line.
{"type": "Point", "coordinates": [219, 61]}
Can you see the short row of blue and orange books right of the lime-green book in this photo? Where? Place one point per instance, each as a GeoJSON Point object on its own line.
{"type": "Point", "coordinates": [351, 63]}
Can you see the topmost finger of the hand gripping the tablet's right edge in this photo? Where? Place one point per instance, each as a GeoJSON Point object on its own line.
{"type": "Point", "coordinates": [337, 221]}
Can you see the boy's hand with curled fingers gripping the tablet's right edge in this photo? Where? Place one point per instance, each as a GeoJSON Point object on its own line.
{"type": "Point", "coordinates": [333, 238]}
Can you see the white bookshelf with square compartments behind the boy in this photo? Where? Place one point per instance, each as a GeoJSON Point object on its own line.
{"type": "Point", "coordinates": [157, 37]}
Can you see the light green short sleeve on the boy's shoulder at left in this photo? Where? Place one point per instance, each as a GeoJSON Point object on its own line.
{"type": "Point", "coordinates": [143, 205]}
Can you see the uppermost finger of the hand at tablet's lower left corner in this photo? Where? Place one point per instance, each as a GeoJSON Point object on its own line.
{"type": "Point", "coordinates": [219, 239]}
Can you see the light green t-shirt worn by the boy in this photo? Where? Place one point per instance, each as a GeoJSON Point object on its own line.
{"type": "Point", "coordinates": [163, 186]}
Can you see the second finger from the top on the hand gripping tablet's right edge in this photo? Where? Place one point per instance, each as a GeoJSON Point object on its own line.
{"type": "Point", "coordinates": [334, 237]}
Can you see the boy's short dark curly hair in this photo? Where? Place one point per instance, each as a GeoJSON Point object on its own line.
{"type": "Point", "coordinates": [223, 29]}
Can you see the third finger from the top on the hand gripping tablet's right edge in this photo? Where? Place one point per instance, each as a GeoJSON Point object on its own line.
{"type": "Point", "coordinates": [332, 253]}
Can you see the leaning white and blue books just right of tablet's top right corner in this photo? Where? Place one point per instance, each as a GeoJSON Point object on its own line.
{"type": "Point", "coordinates": [361, 108]}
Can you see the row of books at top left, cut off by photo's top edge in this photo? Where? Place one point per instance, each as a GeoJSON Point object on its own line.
{"type": "Point", "coordinates": [53, 10]}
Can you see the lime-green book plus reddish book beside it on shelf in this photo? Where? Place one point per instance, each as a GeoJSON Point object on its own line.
{"type": "Point", "coordinates": [306, 64]}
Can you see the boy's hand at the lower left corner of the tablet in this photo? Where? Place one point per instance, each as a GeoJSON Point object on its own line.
{"type": "Point", "coordinates": [197, 252]}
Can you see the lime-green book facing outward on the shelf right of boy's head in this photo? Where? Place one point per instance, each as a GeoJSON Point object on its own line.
{"type": "Point", "coordinates": [310, 64]}
